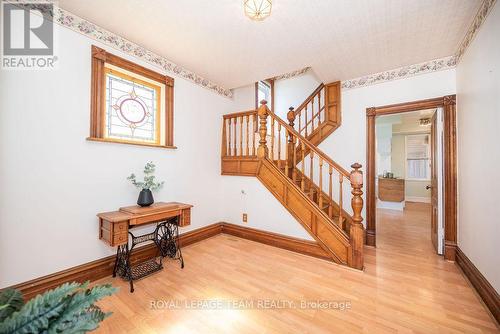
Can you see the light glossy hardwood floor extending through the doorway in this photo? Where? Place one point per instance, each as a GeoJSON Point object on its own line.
{"type": "Point", "coordinates": [404, 288]}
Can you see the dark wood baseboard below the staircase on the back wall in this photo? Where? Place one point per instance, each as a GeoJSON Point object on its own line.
{"type": "Point", "coordinates": [301, 246]}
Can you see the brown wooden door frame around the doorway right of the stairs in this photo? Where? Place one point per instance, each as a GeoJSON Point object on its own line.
{"type": "Point", "coordinates": [448, 103]}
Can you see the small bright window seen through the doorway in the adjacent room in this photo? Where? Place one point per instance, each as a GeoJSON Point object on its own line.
{"type": "Point", "coordinates": [418, 157]}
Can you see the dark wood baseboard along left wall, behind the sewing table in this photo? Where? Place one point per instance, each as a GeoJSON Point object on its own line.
{"type": "Point", "coordinates": [101, 268]}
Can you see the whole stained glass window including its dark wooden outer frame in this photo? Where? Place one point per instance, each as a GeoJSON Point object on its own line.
{"type": "Point", "coordinates": [130, 104]}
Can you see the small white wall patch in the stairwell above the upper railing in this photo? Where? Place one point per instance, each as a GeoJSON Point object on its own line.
{"type": "Point", "coordinates": [292, 92]}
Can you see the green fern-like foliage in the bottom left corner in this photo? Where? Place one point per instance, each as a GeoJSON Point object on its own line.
{"type": "Point", "coordinates": [69, 308]}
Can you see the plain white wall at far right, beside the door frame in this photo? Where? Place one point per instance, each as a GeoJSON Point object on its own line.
{"type": "Point", "coordinates": [478, 118]}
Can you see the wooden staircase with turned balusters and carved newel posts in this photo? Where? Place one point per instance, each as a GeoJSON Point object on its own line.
{"type": "Point", "coordinates": [308, 183]}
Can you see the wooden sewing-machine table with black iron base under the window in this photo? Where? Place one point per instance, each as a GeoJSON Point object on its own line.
{"type": "Point", "coordinates": [115, 226]}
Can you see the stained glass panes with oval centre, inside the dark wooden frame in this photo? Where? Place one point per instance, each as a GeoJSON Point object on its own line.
{"type": "Point", "coordinates": [132, 108]}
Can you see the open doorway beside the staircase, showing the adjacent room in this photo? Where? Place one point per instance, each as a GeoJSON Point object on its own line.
{"type": "Point", "coordinates": [409, 174]}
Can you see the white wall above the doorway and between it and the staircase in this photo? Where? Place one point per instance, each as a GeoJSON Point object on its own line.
{"type": "Point", "coordinates": [348, 143]}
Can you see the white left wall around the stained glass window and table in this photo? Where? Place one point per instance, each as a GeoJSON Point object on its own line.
{"type": "Point", "coordinates": [54, 181]}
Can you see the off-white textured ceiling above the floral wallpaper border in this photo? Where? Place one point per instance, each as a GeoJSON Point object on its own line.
{"type": "Point", "coordinates": [340, 39]}
